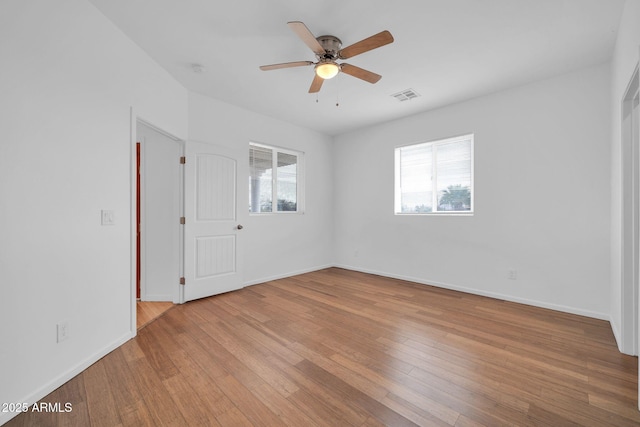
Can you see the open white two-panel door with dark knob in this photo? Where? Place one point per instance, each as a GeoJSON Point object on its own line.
{"type": "Point", "coordinates": [213, 232]}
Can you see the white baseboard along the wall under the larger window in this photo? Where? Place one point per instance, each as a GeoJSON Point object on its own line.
{"type": "Point", "coordinates": [504, 297]}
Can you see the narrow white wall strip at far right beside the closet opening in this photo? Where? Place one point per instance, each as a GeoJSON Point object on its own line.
{"type": "Point", "coordinates": [625, 59]}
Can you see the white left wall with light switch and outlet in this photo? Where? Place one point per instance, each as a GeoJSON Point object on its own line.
{"type": "Point", "coordinates": [67, 83]}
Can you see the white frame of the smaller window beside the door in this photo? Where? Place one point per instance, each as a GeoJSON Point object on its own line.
{"type": "Point", "coordinates": [300, 167]}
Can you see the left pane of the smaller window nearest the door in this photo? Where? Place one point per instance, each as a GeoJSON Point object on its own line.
{"type": "Point", "coordinates": [260, 179]}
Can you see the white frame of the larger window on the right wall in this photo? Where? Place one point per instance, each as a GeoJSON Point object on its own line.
{"type": "Point", "coordinates": [397, 206]}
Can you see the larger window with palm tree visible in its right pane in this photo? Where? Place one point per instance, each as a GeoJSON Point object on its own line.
{"type": "Point", "coordinates": [435, 177]}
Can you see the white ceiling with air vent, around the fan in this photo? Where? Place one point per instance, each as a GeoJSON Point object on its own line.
{"type": "Point", "coordinates": [446, 50]}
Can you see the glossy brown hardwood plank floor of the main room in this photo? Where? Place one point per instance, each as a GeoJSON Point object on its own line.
{"type": "Point", "coordinates": [340, 348]}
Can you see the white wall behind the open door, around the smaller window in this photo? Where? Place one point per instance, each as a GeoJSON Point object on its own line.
{"type": "Point", "coordinates": [277, 245]}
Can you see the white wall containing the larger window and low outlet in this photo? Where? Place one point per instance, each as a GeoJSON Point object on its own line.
{"type": "Point", "coordinates": [542, 183]}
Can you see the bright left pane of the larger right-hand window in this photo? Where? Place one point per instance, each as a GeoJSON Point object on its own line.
{"type": "Point", "coordinates": [415, 179]}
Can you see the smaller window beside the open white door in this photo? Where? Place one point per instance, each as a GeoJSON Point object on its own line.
{"type": "Point", "coordinates": [275, 175]}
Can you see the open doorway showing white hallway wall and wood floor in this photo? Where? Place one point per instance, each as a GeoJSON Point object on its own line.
{"type": "Point", "coordinates": [158, 242]}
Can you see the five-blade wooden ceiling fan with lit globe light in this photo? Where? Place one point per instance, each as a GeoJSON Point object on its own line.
{"type": "Point", "coordinates": [328, 50]}
